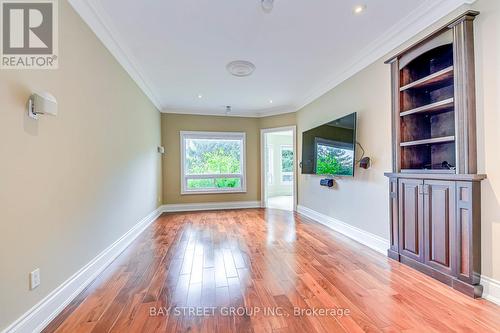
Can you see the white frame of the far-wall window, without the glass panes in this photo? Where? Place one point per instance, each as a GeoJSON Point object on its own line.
{"type": "Point", "coordinates": [213, 136]}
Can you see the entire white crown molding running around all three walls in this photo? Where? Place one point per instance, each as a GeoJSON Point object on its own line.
{"type": "Point", "coordinates": [429, 12]}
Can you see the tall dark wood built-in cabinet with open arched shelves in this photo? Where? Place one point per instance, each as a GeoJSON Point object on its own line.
{"type": "Point", "coordinates": [434, 185]}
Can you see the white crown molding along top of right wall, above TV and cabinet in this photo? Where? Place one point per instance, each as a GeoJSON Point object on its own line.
{"type": "Point", "coordinates": [428, 13]}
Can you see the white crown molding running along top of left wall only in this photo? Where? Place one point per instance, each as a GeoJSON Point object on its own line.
{"type": "Point", "coordinates": [92, 13]}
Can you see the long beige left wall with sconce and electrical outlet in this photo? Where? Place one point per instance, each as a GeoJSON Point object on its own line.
{"type": "Point", "coordinates": [71, 185]}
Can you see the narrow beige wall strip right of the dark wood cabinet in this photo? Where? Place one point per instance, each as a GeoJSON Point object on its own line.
{"type": "Point", "coordinates": [487, 37]}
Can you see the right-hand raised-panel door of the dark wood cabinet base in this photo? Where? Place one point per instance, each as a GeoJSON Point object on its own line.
{"type": "Point", "coordinates": [439, 226]}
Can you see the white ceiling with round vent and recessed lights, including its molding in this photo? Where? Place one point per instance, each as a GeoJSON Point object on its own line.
{"type": "Point", "coordinates": [177, 50]}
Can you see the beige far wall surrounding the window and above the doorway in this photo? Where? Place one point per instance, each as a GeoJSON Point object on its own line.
{"type": "Point", "coordinates": [172, 124]}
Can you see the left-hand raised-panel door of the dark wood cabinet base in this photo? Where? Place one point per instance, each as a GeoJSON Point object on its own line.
{"type": "Point", "coordinates": [411, 219]}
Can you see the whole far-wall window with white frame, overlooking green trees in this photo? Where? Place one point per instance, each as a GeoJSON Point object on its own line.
{"type": "Point", "coordinates": [212, 162]}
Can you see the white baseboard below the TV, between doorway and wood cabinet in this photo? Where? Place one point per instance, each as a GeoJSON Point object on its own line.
{"type": "Point", "coordinates": [374, 242]}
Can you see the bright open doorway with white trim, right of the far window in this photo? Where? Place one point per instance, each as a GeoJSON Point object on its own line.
{"type": "Point", "coordinates": [278, 168]}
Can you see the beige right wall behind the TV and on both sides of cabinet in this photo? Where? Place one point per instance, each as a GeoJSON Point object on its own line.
{"type": "Point", "coordinates": [363, 201]}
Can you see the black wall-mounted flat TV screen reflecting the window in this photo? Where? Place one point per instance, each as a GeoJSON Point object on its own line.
{"type": "Point", "coordinates": [330, 148]}
